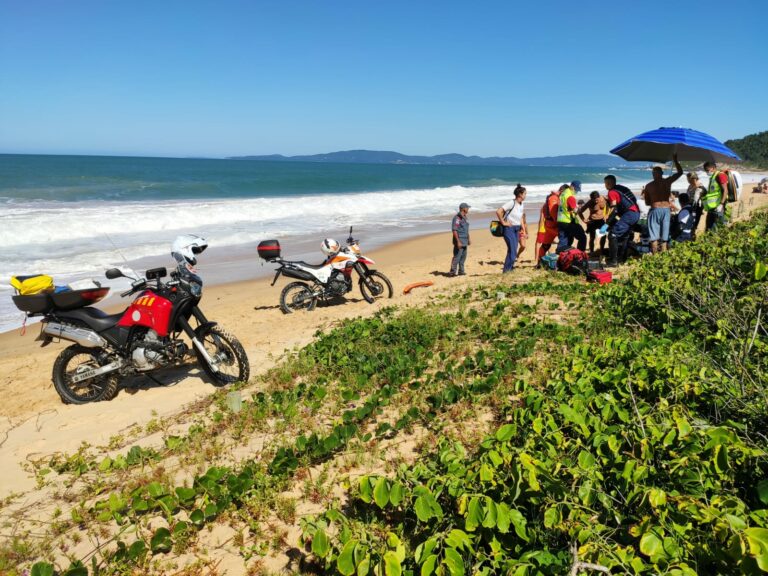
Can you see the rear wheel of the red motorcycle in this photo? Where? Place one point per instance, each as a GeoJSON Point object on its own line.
{"type": "Point", "coordinates": [75, 359]}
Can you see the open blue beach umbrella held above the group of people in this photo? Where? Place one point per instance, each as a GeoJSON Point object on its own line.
{"type": "Point", "coordinates": [690, 145]}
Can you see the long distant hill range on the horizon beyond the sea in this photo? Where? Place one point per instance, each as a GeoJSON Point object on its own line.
{"type": "Point", "coordinates": [387, 157]}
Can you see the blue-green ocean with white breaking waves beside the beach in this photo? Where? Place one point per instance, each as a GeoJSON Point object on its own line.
{"type": "Point", "coordinates": [75, 216]}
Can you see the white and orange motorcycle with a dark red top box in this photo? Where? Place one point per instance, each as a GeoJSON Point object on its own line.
{"type": "Point", "coordinates": [329, 280]}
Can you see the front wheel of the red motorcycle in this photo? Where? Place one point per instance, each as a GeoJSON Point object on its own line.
{"type": "Point", "coordinates": [228, 355]}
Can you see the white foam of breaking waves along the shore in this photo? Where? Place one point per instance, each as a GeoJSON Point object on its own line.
{"type": "Point", "coordinates": [75, 240]}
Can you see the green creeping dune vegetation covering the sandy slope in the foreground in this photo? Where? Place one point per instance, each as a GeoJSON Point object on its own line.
{"type": "Point", "coordinates": [558, 425]}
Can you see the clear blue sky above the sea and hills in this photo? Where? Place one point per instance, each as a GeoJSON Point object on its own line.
{"type": "Point", "coordinates": [223, 77]}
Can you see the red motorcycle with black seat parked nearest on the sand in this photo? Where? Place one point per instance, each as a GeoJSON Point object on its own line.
{"type": "Point", "coordinates": [145, 337]}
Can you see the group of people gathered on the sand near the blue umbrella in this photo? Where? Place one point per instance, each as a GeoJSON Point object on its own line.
{"type": "Point", "coordinates": [614, 217]}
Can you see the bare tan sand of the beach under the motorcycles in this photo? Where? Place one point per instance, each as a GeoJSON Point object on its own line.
{"type": "Point", "coordinates": [34, 422]}
